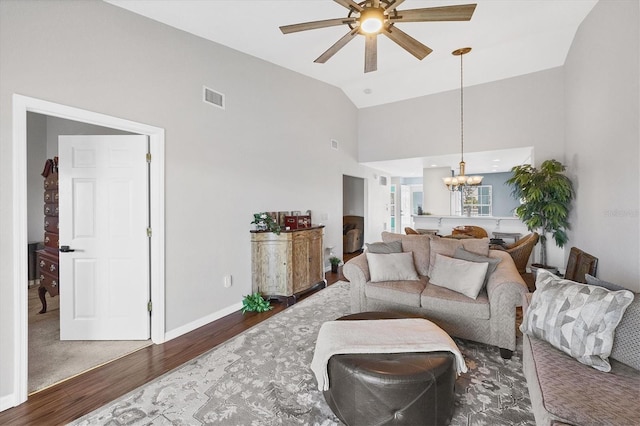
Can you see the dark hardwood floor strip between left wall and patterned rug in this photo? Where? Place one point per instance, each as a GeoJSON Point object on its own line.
{"type": "Point", "coordinates": [75, 397]}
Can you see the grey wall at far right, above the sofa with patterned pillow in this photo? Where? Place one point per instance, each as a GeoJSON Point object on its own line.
{"type": "Point", "coordinates": [603, 138]}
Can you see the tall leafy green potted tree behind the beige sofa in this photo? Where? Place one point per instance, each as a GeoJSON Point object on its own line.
{"type": "Point", "coordinates": [545, 196]}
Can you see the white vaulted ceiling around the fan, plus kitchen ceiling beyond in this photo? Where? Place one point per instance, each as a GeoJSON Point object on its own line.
{"type": "Point", "coordinates": [509, 38]}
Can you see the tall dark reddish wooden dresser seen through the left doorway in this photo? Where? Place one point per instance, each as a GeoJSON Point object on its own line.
{"type": "Point", "coordinates": [47, 258]}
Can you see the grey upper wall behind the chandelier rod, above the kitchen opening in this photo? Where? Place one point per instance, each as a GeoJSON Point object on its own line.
{"type": "Point", "coordinates": [517, 112]}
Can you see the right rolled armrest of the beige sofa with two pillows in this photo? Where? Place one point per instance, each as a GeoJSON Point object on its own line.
{"type": "Point", "coordinates": [506, 290]}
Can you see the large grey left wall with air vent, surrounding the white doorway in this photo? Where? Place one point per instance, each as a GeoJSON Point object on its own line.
{"type": "Point", "coordinates": [269, 150]}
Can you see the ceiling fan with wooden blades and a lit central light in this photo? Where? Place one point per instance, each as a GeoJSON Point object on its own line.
{"type": "Point", "coordinates": [372, 17]}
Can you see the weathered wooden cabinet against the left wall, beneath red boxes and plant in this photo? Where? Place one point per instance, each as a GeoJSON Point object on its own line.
{"type": "Point", "coordinates": [285, 265]}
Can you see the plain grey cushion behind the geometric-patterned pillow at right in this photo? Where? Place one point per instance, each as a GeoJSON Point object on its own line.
{"type": "Point", "coordinates": [626, 342]}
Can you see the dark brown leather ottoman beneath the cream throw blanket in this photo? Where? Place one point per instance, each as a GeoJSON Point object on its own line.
{"type": "Point", "coordinates": [391, 389]}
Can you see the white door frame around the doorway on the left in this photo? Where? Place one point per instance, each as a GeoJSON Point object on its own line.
{"type": "Point", "coordinates": [21, 106]}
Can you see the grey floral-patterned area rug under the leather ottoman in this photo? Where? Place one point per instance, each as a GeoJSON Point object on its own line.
{"type": "Point", "coordinates": [262, 377]}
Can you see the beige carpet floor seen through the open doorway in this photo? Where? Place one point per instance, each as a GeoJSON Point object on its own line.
{"type": "Point", "coordinates": [52, 360]}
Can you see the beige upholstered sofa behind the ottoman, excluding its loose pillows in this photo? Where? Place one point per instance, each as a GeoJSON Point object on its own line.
{"type": "Point", "coordinates": [490, 318]}
